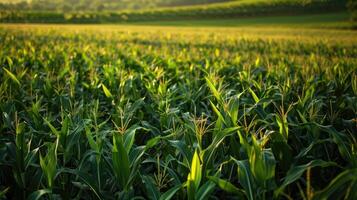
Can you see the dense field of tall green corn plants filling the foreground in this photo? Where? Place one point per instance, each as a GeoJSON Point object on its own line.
{"type": "Point", "coordinates": [167, 113]}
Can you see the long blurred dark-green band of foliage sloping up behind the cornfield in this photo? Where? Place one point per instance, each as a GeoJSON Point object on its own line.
{"type": "Point", "coordinates": [243, 8]}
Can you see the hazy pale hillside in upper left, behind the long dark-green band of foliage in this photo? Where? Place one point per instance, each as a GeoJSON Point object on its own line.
{"type": "Point", "coordinates": [96, 5]}
